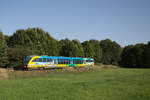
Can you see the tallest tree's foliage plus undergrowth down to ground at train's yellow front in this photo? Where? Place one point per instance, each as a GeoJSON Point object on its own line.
{"type": "Point", "coordinates": [33, 41]}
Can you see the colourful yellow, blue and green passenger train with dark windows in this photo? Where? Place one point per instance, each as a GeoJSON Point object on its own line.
{"type": "Point", "coordinates": [44, 62]}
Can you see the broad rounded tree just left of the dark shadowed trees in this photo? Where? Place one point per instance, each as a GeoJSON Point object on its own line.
{"type": "Point", "coordinates": [111, 52]}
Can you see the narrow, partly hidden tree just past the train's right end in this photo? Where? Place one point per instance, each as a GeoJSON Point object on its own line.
{"type": "Point", "coordinates": [97, 51]}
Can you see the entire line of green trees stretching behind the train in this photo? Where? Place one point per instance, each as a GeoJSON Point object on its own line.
{"type": "Point", "coordinates": [35, 41]}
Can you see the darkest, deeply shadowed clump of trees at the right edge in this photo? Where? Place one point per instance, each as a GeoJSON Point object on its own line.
{"type": "Point", "coordinates": [136, 56]}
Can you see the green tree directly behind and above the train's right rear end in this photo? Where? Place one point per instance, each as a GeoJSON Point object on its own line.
{"type": "Point", "coordinates": [88, 49]}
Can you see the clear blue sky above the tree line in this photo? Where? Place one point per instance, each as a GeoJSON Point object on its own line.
{"type": "Point", "coordinates": [124, 21]}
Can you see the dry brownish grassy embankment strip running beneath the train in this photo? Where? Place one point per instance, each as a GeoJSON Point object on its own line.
{"type": "Point", "coordinates": [20, 74]}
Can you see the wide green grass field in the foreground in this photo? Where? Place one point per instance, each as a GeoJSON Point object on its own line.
{"type": "Point", "coordinates": [104, 84]}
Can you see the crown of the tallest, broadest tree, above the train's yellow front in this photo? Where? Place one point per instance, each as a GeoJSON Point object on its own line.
{"type": "Point", "coordinates": [34, 39]}
